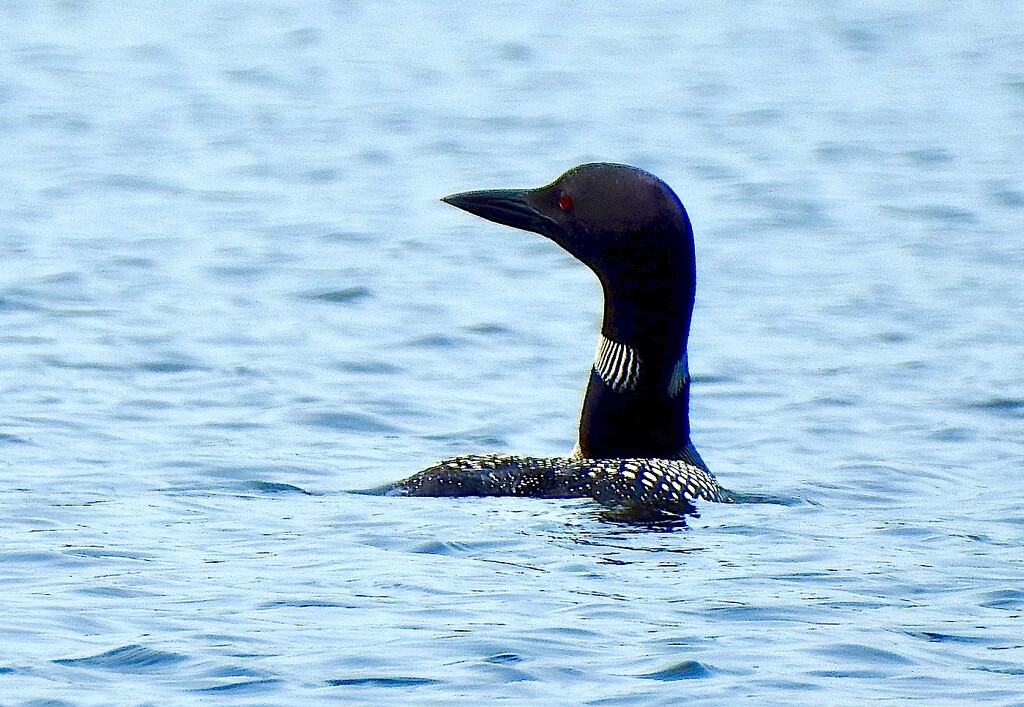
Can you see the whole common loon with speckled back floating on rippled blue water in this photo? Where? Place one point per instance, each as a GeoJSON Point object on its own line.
{"type": "Point", "coordinates": [634, 447]}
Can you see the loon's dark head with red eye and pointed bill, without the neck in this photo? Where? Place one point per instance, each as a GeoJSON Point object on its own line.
{"type": "Point", "coordinates": [608, 216]}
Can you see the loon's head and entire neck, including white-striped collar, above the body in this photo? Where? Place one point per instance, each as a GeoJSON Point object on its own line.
{"type": "Point", "coordinates": [632, 231]}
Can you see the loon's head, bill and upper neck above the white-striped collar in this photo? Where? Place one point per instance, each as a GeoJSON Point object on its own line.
{"type": "Point", "coordinates": [629, 228]}
